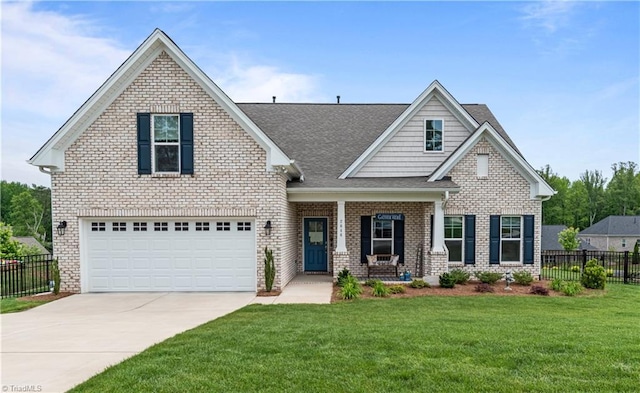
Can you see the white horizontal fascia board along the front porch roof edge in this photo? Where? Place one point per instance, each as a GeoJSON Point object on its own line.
{"type": "Point", "coordinates": [367, 195]}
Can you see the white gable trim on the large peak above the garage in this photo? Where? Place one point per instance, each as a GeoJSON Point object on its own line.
{"type": "Point", "coordinates": [51, 154]}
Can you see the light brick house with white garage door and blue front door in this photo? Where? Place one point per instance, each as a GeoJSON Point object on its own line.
{"type": "Point", "coordinates": [167, 185]}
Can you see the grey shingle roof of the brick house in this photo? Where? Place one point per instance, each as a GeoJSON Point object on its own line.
{"type": "Point", "coordinates": [324, 139]}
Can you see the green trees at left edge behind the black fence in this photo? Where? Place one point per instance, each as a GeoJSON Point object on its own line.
{"type": "Point", "coordinates": [27, 209]}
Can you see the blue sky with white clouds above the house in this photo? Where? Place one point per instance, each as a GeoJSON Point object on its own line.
{"type": "Point", "coordinates": [562, 77]}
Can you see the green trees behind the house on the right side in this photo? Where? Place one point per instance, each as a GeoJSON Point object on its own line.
{"type": "Point", "coordinates": [585, 201]}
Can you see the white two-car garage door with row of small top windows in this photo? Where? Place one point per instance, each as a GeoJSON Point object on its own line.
{"type": "Point", "coordinates": [170, 255]}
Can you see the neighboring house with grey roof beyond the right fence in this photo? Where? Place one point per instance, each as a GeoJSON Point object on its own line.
{"type": "Point", "coordinates": [614, 233]}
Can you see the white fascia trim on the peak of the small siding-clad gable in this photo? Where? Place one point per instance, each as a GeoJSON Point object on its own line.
{"type": "Point", "coordinates": [434, 89]}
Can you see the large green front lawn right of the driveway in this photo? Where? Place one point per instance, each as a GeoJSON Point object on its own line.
{"type": "Point", "coordinates": [448, 344]}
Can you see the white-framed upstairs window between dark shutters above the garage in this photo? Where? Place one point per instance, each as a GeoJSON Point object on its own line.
{"type": "Point", "coordinates": [166, 143]}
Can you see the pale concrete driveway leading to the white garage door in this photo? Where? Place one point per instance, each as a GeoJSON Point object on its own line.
{"type": "Point", "coordinates": [56, 346]}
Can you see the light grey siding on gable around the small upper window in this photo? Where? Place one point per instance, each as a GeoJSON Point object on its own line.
{"type": "Point", "coordinates": [403, 155]}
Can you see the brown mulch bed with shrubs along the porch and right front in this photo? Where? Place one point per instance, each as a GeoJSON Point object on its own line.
{"type": "Point", "coordinates": [458, 290]}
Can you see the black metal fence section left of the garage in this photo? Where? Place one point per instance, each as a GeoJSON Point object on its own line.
{"type": "Point", "coordinates": [26, 276]}
